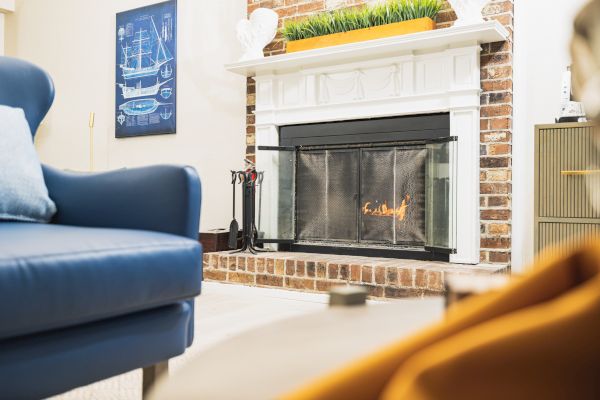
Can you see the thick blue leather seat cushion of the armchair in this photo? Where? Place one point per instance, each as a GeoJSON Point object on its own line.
{"type": "Point", "coordinates": [55, 276]}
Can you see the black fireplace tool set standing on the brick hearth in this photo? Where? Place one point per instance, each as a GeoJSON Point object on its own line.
{"type": "Point", "coordinates": [249, 179]}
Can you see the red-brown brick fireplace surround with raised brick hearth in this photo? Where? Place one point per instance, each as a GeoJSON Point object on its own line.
{"type": "Point", "coordinates": [495, 171]}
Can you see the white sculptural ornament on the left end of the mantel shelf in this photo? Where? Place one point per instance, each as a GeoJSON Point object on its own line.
{"type": "Point", "coordinates": [257, 32]}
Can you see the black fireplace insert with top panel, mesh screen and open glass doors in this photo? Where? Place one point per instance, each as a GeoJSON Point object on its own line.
{"type": "Point", "coordinates": [380, 187]}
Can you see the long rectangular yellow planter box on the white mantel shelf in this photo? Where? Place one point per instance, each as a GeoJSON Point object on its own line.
{"type": "Point", "coordinates": [361, 35]}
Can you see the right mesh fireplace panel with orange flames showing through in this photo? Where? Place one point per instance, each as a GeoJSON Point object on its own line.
{"type": "Point", "coordinates": [393, 195]}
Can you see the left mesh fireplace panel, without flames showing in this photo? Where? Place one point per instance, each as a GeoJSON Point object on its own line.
{"type": "Point", "coordinates": [327, 195]}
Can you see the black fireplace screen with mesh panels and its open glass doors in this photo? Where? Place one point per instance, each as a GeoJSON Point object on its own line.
{"type": "Point", "coordinates": [393, 194]}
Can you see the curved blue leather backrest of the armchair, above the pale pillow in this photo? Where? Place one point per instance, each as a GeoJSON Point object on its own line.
{"type": "Point", "coordinates": [26, 86]}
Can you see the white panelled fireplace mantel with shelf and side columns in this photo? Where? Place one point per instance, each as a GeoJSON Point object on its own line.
{"type": "Point", "coordinates": [422, 73]}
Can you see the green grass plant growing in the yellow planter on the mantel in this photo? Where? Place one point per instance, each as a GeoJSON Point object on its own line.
{"type": "Point", "coordinates": [350, 19]}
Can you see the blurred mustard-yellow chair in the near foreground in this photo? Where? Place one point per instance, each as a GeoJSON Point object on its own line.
{"type": "Point", "coordinates": [539, 338]}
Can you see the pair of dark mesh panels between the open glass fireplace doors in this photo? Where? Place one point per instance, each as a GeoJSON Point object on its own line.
{"type": "Point", "coordinates": [362, 195]}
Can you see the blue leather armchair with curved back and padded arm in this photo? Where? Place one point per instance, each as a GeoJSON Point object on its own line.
{"type": "Point", "coordinates": [108, 286]}
